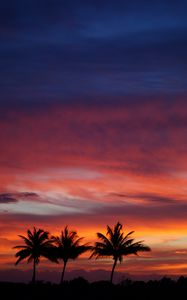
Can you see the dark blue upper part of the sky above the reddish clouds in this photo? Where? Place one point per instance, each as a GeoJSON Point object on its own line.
{"type": "Point", "coordinates": [59, 51]}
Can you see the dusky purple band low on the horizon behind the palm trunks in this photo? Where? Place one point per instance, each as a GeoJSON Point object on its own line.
{"type": "Point", "coordinates": [47, 275]}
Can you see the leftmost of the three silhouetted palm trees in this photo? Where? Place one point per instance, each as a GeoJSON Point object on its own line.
{"type": "Point", "coordinates": [37, 244]}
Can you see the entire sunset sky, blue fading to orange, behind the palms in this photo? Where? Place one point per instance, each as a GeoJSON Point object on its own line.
{"type": "Point", "coordinates": [93, 127]}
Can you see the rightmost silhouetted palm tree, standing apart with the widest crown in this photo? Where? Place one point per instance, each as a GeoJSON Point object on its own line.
{"type": "Point", "coordinates": [116, 245]}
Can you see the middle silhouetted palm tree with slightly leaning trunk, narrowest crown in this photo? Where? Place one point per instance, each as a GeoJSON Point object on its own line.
{"type": "Point", "coordinates": [68, 247]}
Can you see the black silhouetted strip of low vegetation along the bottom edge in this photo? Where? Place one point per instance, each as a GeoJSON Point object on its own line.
{"type": "Point", "coordinates": [80, 288]}
